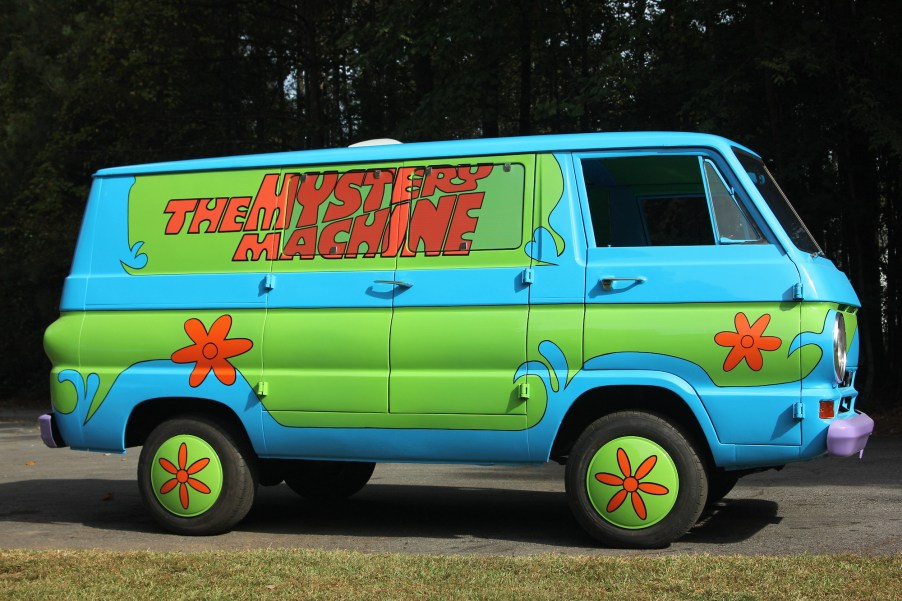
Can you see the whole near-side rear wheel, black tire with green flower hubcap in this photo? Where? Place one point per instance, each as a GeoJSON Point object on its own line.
{"type": "Point", "coordinates": [231, 488]}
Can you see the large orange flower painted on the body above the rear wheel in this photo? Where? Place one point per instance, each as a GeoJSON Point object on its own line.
{"type": "Point", "coordinates": [211, 350]}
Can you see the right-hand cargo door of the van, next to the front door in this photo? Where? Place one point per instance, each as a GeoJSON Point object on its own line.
{"type": "Point", "coordinates": [459, 322]}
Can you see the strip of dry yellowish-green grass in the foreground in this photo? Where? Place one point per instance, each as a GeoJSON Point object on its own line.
{"type": "Point", "coordinates": [298, 574]}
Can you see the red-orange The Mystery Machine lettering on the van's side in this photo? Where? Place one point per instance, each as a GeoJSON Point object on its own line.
{"type": "Point", "coordinates": [366, 213]}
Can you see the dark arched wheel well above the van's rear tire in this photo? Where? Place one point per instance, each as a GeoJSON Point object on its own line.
{"type": "Point", "coordinates": [150, 414]}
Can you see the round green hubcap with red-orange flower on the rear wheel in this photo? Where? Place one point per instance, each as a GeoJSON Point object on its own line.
{"type": "Point", "coordinates": [186, 475]}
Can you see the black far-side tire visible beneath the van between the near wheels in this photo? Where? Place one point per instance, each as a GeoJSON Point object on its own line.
{"type": "Point", "coordinates": [327, 481]}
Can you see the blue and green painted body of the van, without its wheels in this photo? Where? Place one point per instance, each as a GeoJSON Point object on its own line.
{"type": "Point", "coordinates": [333, 300]}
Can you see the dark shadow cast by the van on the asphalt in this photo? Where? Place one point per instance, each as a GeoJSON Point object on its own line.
{"type": "Point", "coordinates": [379, 511]}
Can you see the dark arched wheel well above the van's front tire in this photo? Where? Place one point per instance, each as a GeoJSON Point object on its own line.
{"type": "Point", "coordinates": [602, 401]}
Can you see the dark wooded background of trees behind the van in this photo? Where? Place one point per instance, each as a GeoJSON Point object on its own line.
{"type": "Point", "coordinates": [84, 84]}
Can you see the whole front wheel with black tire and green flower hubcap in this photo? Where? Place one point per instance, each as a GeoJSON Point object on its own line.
{"type": "Point", "coordinates": [618, 521]}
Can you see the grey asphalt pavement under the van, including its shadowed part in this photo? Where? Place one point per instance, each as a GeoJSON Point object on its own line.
{"type": "Point", "coordinates": [64, 499]}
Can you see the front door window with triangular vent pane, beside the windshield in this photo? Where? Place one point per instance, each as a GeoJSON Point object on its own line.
{"type": "Point", "coordinates": [673, 200]}
